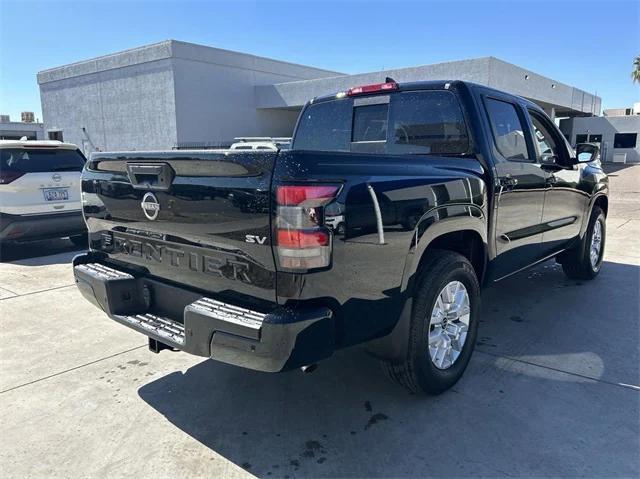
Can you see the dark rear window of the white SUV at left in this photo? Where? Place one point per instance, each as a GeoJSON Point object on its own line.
{"type": "Point", "coordinates": [39, 160]}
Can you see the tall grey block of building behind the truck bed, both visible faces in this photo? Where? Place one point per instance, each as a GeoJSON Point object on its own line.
{"type": "Point", "coordinates": [162, 95]}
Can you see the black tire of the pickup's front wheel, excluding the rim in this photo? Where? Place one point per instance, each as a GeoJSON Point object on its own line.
{"type": "Point", "coordinates": [576, 263]}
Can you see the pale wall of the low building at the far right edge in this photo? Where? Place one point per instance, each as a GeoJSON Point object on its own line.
{"type": "Point", "coordinates": [606, 126]}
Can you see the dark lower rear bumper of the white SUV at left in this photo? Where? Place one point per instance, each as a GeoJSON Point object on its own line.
{"type": "Point", "coordinates": [44, 226]}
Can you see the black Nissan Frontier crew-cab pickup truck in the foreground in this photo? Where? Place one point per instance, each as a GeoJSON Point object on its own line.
{"type": "Point", "coordinates": [395, 204]}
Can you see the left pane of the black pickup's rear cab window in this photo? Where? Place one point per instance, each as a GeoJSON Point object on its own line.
{"type": "Point", "coordinates": [325, 126]}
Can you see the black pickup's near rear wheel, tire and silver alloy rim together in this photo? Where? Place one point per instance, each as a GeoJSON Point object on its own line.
{"type": "Point", "coordinates": [444, 325]}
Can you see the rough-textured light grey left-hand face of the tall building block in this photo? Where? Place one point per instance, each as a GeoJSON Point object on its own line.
{"type": "Point", "coordinates": [123, 101]}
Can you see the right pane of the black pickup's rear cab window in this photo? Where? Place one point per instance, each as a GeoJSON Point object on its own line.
{"type": "Point", "coordinates": [427, 122]}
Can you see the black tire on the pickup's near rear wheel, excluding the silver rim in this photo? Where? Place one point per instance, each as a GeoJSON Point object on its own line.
{"type": "Point", "coordinates": [417, 372]}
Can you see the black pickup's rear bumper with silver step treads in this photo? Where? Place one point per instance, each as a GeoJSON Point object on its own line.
{"type": "Point", "coordinates": [276, 341]}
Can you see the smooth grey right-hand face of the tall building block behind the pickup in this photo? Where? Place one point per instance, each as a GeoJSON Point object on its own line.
{"type": "Point", "coordinates": [215, 99]}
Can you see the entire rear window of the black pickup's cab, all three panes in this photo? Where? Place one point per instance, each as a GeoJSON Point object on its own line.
{"type": "Point", "coordinates": [415, 122]}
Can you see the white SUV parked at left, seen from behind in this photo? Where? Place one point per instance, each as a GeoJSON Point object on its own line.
{"type": "Point", "coordinates": [40, 191]}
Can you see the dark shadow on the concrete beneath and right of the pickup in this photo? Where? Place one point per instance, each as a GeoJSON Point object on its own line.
{"type": "Point", "coordinates": [524, 407]}
